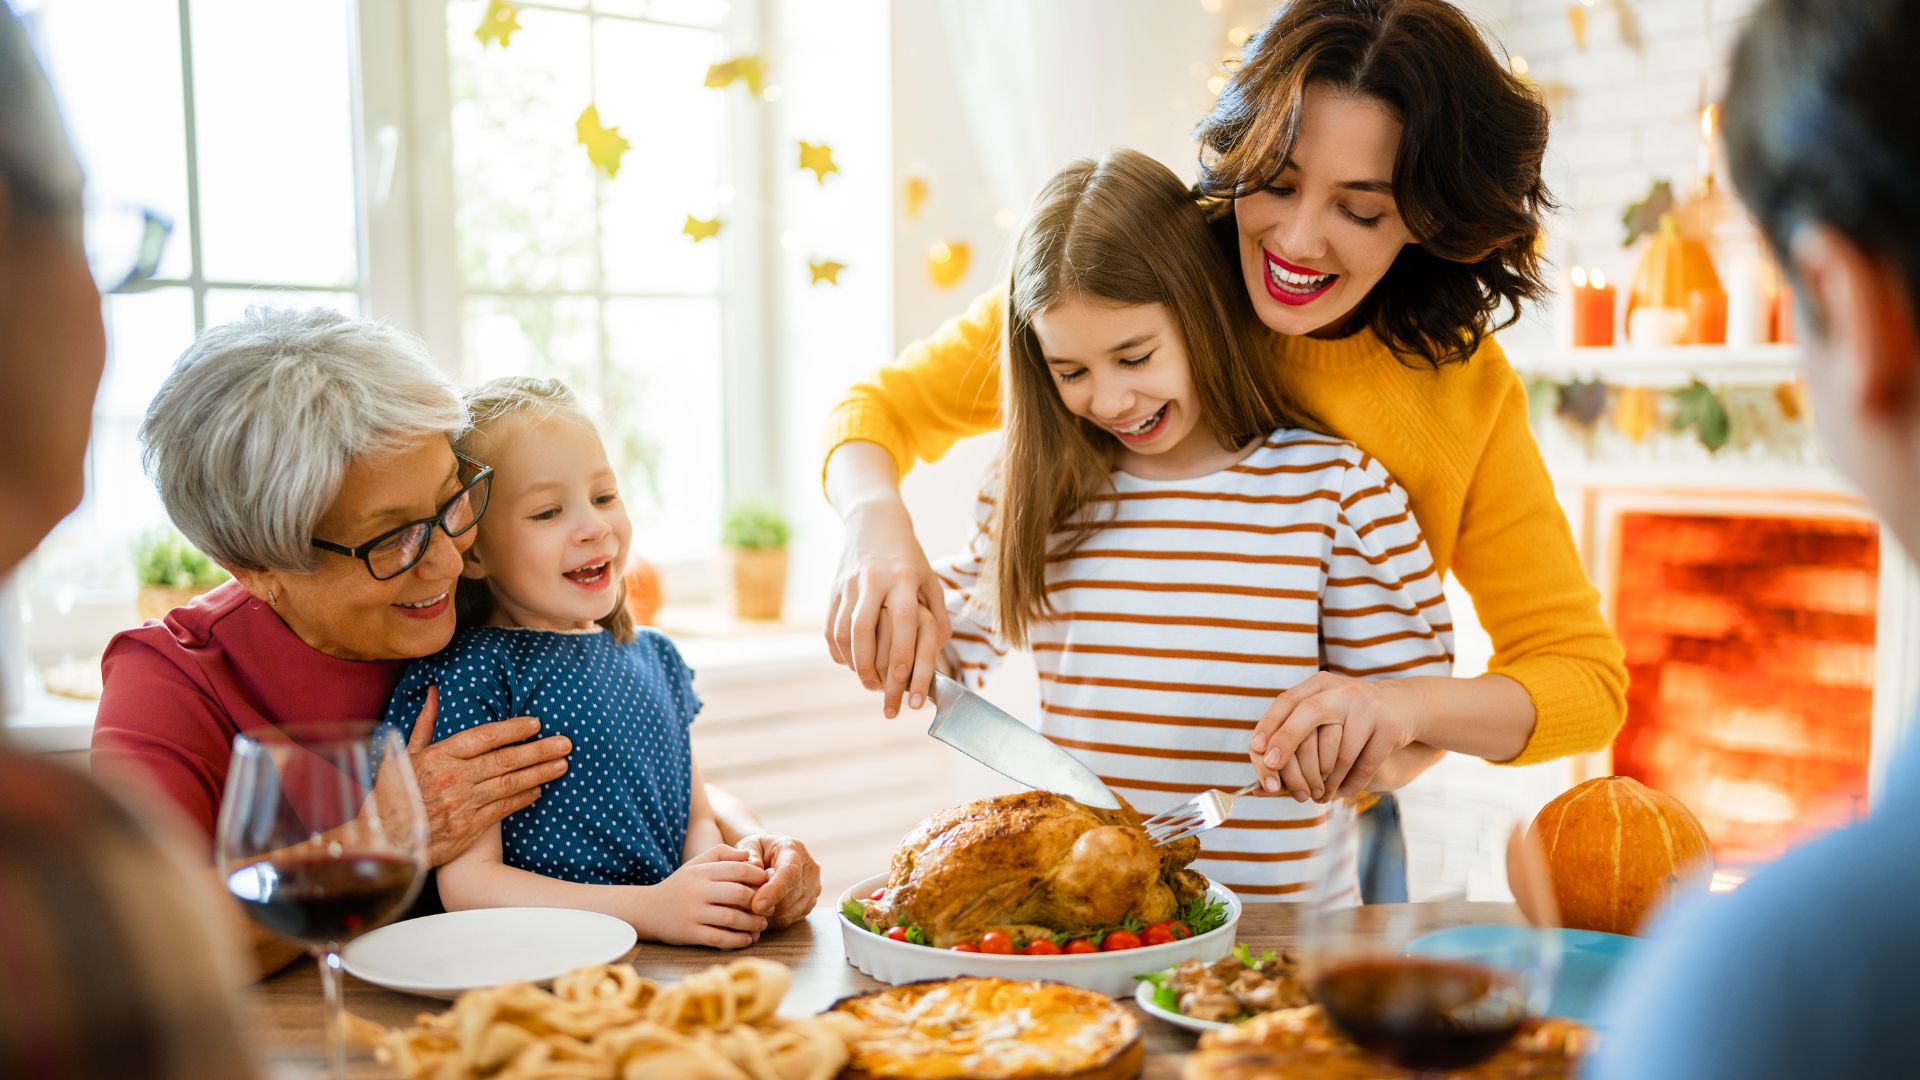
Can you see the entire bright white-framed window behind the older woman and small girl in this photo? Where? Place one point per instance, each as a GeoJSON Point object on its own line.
{"type": "Point", "coordinates": [377, 157]}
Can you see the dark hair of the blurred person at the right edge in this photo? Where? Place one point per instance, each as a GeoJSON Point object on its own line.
{"type": "Point", "coordinates": [1819, 126]}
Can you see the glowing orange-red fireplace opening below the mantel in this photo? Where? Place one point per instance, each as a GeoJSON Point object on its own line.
{"type": "Point", "coordinates": [1750, 641]}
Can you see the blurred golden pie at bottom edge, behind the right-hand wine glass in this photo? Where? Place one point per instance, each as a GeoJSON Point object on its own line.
{"type": "Point", "coordinates": [1301, 1044]}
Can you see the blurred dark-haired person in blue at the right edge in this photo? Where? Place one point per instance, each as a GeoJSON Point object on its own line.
{"type": "Point", "coordinates": [1808, 968]}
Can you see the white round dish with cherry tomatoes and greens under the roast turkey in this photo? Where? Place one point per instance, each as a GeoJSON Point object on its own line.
{"type": "Point", "coordinates": [1105, 960]}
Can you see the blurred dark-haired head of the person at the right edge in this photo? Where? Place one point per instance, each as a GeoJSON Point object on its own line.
{"type": "Point", "coordinates": [1827, 153]}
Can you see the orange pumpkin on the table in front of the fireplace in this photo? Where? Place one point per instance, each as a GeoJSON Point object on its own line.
{"type": "Point", "coordinates": [1618, 850]}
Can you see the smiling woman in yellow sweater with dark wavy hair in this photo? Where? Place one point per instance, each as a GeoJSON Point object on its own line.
{"type": "Point", "coordinates": [1376, 176]}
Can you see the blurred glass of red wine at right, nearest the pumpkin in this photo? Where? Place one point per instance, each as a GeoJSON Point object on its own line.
{"type": "Point", "coordinates": [1435, 1006]}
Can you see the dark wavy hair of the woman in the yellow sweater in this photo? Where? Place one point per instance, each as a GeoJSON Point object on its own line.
{"type": "Point", "coordinates": [1466, 178]}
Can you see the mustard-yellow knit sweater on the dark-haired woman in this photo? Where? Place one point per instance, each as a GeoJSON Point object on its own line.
{"type": "Point", "coordinates": [1456, 441]}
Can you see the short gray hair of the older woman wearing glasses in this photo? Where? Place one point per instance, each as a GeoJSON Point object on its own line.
{"type": "Point", "coordinates": [252, 433]}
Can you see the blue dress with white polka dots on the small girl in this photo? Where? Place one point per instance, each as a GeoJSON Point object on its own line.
{"type": "Point", "coordinates": [619, 816]}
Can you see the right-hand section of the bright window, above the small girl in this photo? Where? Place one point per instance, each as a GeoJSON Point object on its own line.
{"type": "Point", "coordinates": [567, 272]}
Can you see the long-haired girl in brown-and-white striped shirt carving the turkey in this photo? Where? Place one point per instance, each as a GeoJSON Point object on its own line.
{"type": "Point", "coordinates": [1170, 537]}
